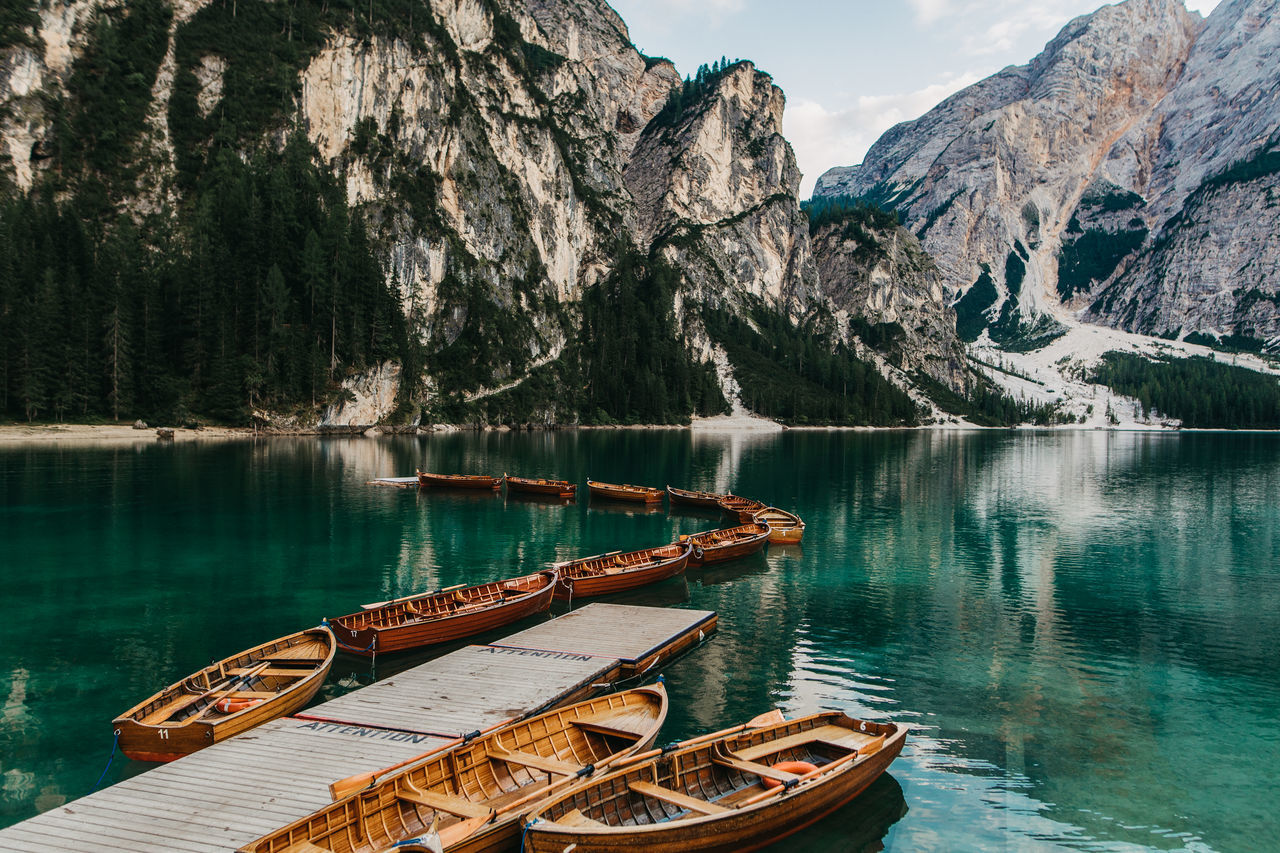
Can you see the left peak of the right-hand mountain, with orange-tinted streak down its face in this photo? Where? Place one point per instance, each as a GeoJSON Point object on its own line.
{"type": "Point", "coordinates": [999, 170]}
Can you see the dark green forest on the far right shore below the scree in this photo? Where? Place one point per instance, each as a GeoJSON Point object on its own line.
{"type": "Point", "coordinates": [1201, 393]}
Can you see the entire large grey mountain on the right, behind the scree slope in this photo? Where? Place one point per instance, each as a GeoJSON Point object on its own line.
{"type": "Point", "coordinates": [1126, 176]}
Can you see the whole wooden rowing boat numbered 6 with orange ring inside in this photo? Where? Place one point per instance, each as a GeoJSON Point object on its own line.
{"type": "Point", "coordinates": [742, 792]}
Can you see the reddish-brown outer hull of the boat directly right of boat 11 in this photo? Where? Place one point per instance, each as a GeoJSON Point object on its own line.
{"type": "Point", "coordinates": [359, 633]}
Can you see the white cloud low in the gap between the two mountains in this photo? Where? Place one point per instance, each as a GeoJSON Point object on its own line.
{"type": "Point", "coordinates": [826, 138]}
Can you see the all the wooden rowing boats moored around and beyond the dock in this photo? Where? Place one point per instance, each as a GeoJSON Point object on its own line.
{"type": "Point", "coordinates": [582, 778]}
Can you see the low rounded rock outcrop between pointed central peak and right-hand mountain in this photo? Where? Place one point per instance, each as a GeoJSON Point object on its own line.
{"type": "Point", "coordinates": [885, 279]}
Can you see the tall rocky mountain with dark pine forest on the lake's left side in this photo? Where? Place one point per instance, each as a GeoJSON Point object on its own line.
{"type": "Point", "coordinates": [554, 213]}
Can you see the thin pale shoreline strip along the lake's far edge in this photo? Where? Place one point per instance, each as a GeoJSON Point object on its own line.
{"type": "Point", "coordinates": [127, 435]}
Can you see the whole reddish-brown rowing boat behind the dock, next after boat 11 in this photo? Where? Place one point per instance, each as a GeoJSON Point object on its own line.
{"type": "Point", "coordinates": [442, 617]}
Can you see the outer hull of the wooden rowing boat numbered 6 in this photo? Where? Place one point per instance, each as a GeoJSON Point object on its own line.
{"type": "Point", "coordinates": [748, 828]}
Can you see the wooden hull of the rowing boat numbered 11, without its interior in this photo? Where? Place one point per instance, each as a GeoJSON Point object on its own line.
{"type": "Point", "coordinates": [161, 743]}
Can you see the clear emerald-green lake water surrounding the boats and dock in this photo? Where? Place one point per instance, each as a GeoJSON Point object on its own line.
{"type": "Point", "coordinates": [1082, 628]}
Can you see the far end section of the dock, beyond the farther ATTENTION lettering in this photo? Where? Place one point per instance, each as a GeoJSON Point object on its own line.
{"type": "Point", "coordinates": [639, 637]}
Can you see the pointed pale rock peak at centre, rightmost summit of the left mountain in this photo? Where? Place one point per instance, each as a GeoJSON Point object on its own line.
{"type": "Point", "coordinates": [716, 191]}
